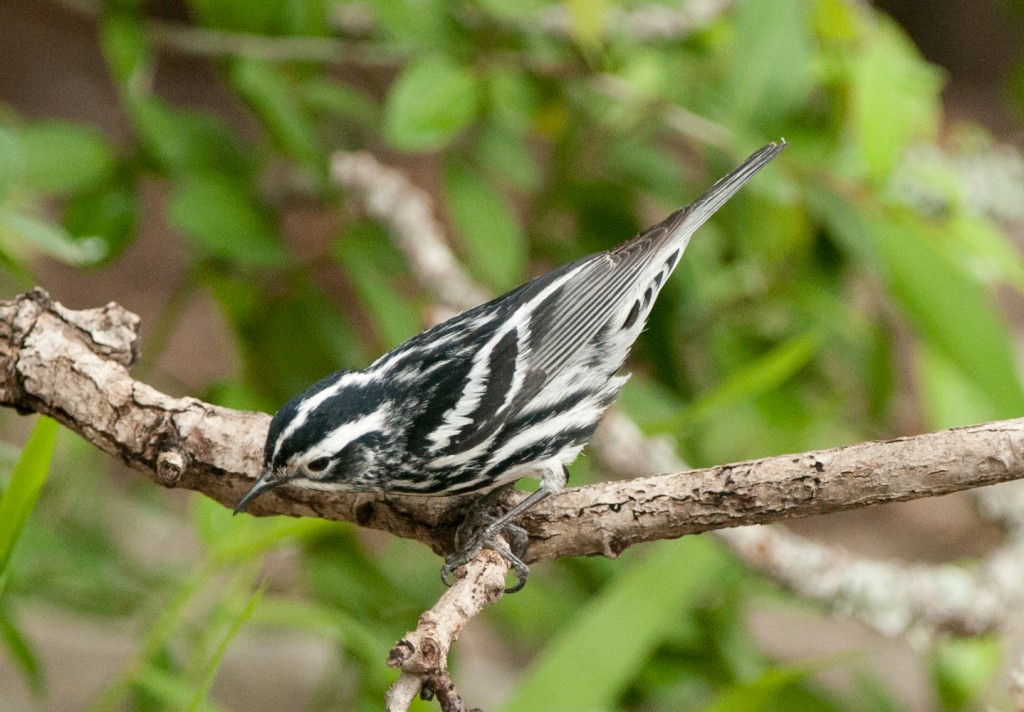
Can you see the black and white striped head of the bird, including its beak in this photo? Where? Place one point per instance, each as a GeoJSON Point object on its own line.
{"type": "Point", "coordinates": [328, 438]}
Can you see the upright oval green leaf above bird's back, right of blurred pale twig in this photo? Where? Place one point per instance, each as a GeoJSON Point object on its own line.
{"type": "Point", "coordinates": [495, 241]}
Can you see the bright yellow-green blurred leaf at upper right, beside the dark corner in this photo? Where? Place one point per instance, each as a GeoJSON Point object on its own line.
{"type": "Point", "coordinates": [895, 99]}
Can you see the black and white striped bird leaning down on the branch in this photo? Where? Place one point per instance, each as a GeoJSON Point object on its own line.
{"type": "Point", "coordinates": [511, 389]}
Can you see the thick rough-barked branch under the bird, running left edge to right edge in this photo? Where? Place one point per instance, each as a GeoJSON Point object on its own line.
{"type": "Point", "coordinates": [72, 366]}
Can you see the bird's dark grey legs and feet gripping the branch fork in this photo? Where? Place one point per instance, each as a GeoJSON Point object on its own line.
{"type": "Point", "coordinates": [502, 526]}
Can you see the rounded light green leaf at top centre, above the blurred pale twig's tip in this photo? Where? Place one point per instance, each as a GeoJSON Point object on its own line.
{"type": "Point", "coordinates": [431, 103]}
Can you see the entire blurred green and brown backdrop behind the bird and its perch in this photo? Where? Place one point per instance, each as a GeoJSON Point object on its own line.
{"type": "Point", "coordinates": [175, 156]}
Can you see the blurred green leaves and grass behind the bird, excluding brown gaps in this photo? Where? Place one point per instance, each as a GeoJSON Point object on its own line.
{"type": "Point", "coordinates": [844, 276]}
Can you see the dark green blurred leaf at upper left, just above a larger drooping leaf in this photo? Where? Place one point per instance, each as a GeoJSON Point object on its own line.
{"type": "Point", "coordinates": [184, 141]}
